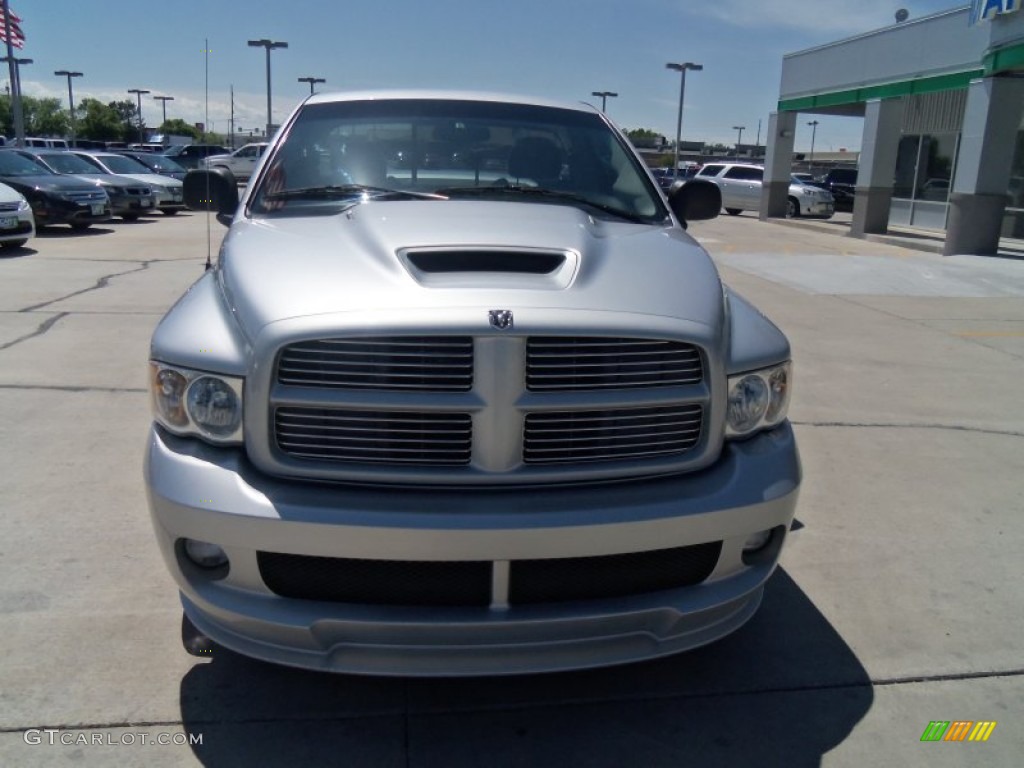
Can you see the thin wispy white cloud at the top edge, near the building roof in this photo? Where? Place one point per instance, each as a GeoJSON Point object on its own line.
{"type": "Point", "coordinates": [830, 18]}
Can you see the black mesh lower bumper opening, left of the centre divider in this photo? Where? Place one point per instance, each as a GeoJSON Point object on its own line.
{"type": "Point", "coordinates": [376, 582]}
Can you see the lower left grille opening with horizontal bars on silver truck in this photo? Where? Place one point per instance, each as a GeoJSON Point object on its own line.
{"type": "Point", "coordinates": [397, 438]}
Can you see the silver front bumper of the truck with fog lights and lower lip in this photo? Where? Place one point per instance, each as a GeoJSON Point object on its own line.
{"type": "Point", "coordinates": [216, 495]}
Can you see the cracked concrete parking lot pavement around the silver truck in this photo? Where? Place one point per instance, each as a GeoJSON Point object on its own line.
{"type": "Point", "coordinates": [900, 602]}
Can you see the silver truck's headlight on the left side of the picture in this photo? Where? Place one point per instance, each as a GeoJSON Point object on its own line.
{"type": "Point", "coordinates": [195, 403]}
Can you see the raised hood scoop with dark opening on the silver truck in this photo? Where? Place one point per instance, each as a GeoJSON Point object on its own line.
{"type": "Point", "coordinates": [483, 267]}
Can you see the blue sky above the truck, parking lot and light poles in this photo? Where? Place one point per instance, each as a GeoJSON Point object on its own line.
{"type": "Point", "coordinates": [561, 50]}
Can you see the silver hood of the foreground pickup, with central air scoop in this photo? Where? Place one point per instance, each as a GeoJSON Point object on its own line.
{"type": "Point", "coordinates": [279, 268]}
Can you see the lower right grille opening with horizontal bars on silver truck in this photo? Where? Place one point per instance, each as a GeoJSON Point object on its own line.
{"type": "Point", "coordinates": [617, 435]}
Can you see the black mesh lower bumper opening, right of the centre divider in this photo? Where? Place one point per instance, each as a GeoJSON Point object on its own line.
{"type": "Point", "coordinates": [566, 580]}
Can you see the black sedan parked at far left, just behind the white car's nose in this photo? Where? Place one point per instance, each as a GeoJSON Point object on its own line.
{"type": "Point", "coordinates": [55, 199]}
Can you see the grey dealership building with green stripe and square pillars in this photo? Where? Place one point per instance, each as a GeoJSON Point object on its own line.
{"type": "Point", "coordinates": [943, 100]}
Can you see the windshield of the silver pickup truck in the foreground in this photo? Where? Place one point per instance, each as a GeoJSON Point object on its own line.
{"type": "Point", "coordinates": [336, 155]}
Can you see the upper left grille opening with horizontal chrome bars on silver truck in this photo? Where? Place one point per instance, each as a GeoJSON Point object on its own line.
{"type": "Point", "coordinates": [431, 364]}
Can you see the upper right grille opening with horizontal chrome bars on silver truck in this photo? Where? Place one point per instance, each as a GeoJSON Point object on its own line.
{"type": "Point", "coordinates": [581, 363]}
